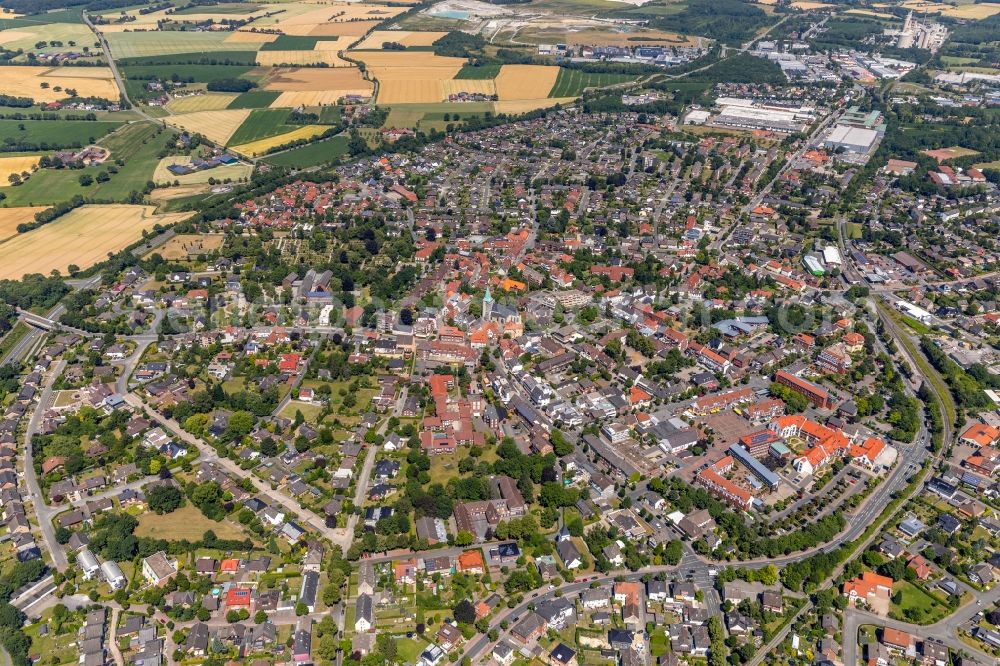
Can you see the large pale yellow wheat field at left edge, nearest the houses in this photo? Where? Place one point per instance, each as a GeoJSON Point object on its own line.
{"type": "Point", "coordinates": [83, 237]}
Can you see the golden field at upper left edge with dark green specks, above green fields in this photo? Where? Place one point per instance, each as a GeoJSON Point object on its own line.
{"type": "Point", "coordinates": [26, 81]}
